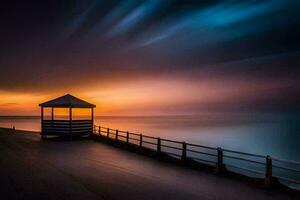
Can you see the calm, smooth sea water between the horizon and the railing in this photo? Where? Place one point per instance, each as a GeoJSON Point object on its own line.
{"type": "Point", "coordinates": [276, 134]}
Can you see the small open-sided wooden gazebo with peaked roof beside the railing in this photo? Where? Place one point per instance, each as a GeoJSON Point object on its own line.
{"type": "Point", "coordinates": [67, 127]}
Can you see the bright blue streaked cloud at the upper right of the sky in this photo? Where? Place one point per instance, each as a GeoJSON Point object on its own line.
{"type": "Point", "coordinates": [217, 23]}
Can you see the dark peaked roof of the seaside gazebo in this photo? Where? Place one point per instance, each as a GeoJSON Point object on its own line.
{"type": "Point", "coordinates": [67, 101]}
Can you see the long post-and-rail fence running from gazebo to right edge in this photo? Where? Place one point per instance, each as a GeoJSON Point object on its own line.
{"type": "Point", "coordinates": [253, 165]}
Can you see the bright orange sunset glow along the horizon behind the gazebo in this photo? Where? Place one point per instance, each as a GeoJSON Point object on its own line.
{"type": "Point", "coordinates": [162, 96]}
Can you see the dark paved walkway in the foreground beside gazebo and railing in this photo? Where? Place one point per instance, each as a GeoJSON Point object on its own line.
{"type": "Point", "coordinates": [32, 169]}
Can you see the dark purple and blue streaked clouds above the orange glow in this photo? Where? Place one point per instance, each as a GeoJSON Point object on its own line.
{"type": "Point", "coordinates": [50, 43]}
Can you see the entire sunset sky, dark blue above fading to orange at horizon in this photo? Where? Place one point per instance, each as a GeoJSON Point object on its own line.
{"type": "Point", "coordinates": [151, 57]}
